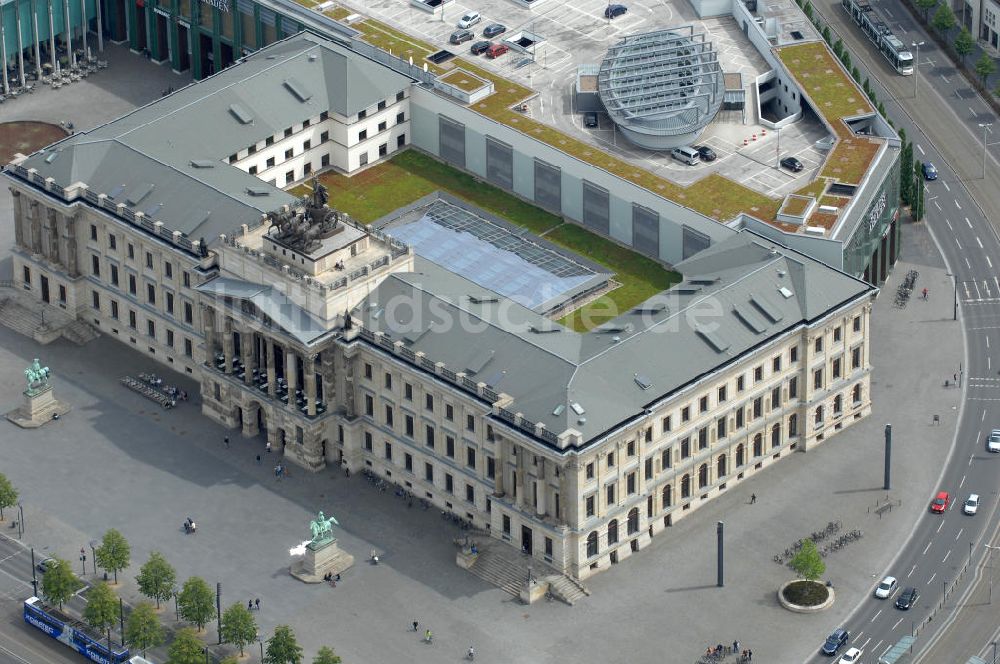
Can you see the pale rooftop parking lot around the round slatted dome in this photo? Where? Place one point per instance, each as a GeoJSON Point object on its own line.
{"type": "Point", "coordinates": [578, 33]}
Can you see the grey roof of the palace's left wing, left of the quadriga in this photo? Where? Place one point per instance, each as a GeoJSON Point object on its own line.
{"type": "Point", "coordinates": [155, 146]}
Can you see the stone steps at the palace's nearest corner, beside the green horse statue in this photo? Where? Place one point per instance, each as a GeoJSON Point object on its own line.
{"type": "Point", "coordinates": [506, 568]}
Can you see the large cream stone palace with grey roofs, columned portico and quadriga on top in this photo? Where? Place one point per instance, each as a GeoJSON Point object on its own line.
{"type": "Point", "coordinates": [340, 343]}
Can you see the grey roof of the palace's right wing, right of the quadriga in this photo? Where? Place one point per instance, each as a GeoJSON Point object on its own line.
{"type": "Point", "coordinates": [728, 304]}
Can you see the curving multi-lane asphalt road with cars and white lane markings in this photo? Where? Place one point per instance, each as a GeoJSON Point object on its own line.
{"type": "Point", "coordinates": [936, 559]}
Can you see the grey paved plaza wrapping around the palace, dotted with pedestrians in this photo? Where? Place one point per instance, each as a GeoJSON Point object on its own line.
{"type": "Point", "coordinates": [118, 461]}
